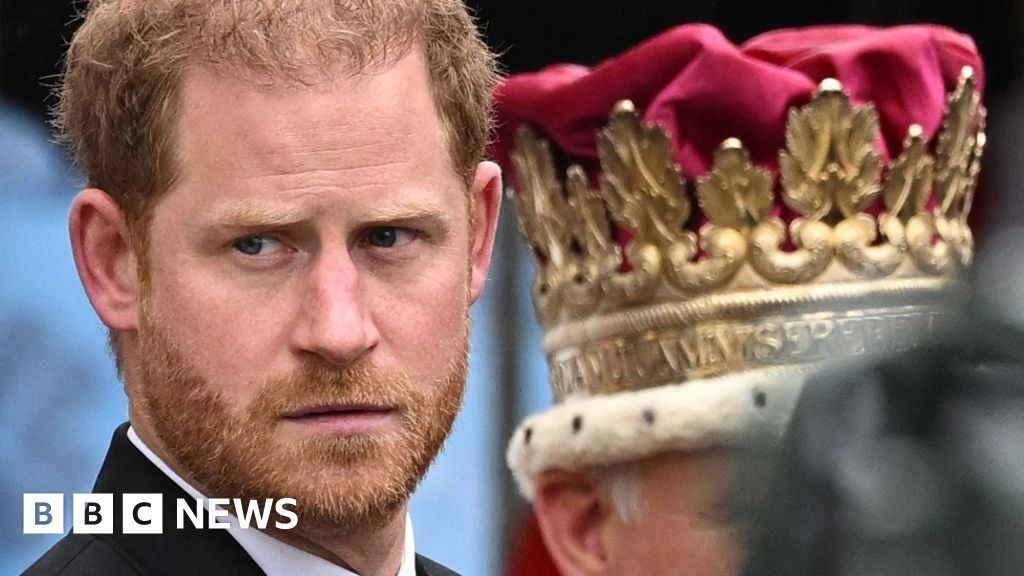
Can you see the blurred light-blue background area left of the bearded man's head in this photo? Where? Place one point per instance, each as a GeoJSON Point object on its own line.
{"type": "Point", "coordinates": [60, 397]}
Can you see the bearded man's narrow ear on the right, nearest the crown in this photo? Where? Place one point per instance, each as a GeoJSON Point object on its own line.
{"type": "Point", "coordinates": [487, 194]}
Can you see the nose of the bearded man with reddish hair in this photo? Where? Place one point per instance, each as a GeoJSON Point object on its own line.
{"type": "Point", "coordinates": [335, 322]}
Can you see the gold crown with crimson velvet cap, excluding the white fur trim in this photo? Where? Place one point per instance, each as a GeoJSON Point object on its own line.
{"type": "Point", "coordinates": [794, 199]}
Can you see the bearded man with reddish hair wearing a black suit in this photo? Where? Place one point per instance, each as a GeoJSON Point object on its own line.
{"type": "Point", "coordinates": [287, 221]}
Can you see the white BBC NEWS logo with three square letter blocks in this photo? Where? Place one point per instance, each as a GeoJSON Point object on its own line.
{"type": "Point", "coordinates": [144, 514]}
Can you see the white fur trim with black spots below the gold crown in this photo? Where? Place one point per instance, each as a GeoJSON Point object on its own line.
{"type": "Point", "coordinates": [588, 432]}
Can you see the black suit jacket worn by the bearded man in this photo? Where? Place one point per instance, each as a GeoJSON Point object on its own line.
{"type": "Point", "coordinates": [187, 552]}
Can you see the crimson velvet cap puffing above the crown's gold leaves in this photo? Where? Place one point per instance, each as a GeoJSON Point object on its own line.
{"type": "Point", "coordinates": [704, 90]}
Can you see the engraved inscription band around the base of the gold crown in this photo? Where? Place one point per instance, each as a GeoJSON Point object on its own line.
{"type": "Point", "coordinates": [710, 350]}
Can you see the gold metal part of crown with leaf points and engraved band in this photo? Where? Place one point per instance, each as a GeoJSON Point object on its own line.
{"type": "Point", "coordinates": [747, 291]}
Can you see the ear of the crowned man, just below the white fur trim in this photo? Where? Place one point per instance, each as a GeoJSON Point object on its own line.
{"type": "Point", "coordinates": [573, 514]}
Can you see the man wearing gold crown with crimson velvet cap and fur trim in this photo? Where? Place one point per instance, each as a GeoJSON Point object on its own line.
{"type": "Point", "coordinates": [731, 219]}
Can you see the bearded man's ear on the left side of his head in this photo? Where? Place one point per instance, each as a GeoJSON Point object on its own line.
{"type": "Point", "coordinates": [105, 259]}
